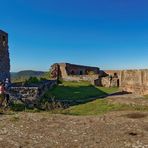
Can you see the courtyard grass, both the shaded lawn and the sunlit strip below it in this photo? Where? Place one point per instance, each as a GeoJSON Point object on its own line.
{"type": "Point", "coordinates": [85, 91]}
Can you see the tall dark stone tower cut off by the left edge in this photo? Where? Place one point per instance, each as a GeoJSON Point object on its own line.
{"type": "Point", "coordinates": [4, 56]}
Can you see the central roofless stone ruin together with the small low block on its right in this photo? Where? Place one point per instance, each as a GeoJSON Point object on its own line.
{"type": "Point", "coordinates": [82, 73]}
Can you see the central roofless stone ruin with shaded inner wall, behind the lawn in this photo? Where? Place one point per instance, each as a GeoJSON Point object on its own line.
{"type": "Point", "coordinates": [72, 72]}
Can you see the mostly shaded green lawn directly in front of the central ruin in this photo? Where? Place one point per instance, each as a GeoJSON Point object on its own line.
{"type": "Point", "coordinates": [78, 90]}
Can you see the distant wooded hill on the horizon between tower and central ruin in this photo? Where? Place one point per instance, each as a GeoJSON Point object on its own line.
{"type": "Point", "coordinates": [25, 74]}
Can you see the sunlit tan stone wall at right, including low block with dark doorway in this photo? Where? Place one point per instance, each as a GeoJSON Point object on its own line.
{"type": "Point", "coordinates": [134, 81]}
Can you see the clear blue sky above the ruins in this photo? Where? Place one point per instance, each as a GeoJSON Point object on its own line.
{"type": "Point", "coordinates": [110, 34]}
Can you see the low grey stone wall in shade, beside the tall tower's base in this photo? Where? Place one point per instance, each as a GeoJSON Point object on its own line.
{"type": "Point", "coordinates": [33, 91]}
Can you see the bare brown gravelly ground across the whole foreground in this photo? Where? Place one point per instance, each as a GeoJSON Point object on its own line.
{"type": "Point", "coordinates": [42, 130]}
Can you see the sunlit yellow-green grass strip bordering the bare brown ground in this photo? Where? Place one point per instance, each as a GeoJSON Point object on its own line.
{"type": "Point", "coordinates": [100, 106]}
